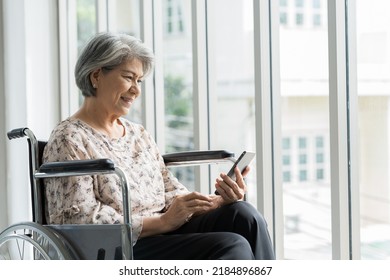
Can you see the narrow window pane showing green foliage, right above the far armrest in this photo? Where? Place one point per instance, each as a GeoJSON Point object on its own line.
{"type": "Point", "coordinates": [178, 83]}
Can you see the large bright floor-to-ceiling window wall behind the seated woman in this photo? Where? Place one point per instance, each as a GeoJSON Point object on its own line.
{"type": "Point", "coordinates": [212, 73]}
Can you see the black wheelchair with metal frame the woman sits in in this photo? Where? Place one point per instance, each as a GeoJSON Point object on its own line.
{"type": "Point", "coordinates": [37, 240]}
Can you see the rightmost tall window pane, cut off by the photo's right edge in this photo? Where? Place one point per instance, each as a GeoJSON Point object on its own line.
{"type": "Point", "coordinates": [373, 33]}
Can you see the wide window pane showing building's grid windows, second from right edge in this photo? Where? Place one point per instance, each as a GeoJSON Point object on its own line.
{"type": "Point", "coordinates": [305, 121]}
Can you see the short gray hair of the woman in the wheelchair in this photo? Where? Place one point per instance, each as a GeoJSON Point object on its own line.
{"type": "Point", "coordinates": [107, 51]}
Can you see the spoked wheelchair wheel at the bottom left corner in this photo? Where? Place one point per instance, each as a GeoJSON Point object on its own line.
{"type": "Point", "coordinates": [32, 241]}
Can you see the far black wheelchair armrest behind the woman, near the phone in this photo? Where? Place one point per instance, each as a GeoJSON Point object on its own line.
{"type": "Point", "coordinates": [197, 157]}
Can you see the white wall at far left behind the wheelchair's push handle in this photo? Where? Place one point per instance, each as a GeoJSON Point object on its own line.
{"type": "Point", "coordinates": [30, 94]}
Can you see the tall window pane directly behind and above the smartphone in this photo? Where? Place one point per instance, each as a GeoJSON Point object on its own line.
{"type": "Point", "coordinates": [232, 84]}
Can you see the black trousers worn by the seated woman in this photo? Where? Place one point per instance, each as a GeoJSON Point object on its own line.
{"type": "Point", "coordinates": [233, 232]}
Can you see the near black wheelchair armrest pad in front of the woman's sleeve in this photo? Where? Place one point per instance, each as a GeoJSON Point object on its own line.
{"type": "Point", "coordinates": [75, 168]}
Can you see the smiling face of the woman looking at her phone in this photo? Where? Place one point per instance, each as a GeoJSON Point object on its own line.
{"type": "Point", "coordinates": [116, 90]}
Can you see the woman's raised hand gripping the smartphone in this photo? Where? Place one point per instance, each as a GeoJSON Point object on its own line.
{"type": "Point", "coordinates": [230, 190]}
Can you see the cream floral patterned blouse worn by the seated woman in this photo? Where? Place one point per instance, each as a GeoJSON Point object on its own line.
{"type": "Point", "coordinates": [98, 199]}
